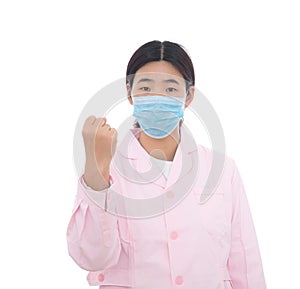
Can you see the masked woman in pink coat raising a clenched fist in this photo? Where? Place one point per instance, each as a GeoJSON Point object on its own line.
{"type": "Point", "coordinates": [207, 246]}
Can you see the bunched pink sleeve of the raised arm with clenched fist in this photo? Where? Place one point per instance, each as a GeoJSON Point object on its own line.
{"type": "Point", "coordinates": [92, 233]}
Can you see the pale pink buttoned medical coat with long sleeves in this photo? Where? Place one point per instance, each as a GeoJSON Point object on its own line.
{"type": "Point", "coordinates": [207, 246]}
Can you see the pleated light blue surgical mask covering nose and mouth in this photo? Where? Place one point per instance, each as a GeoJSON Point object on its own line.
{"type": "Point", "coordinates": [158, 115]}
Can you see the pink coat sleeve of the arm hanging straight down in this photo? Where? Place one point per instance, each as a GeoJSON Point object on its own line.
{"type": "Point", "coordinates": [244, 263]}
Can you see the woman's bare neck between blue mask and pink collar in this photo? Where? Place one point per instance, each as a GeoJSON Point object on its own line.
{"type": "Point", "coordinates": [164, 148]}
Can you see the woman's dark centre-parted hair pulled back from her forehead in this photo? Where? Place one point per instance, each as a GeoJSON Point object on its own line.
{"type": "Point", "coordinates": [157, 51]}
